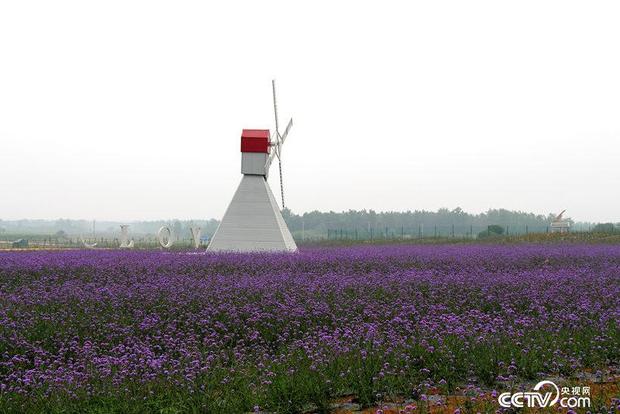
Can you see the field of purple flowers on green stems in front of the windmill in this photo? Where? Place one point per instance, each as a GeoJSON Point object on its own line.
{"type": "Point", "coordinates": [119, 331]}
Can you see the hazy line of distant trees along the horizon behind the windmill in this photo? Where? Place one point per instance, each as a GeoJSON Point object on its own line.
{"type": "Point", "coordinates": [319, 224]}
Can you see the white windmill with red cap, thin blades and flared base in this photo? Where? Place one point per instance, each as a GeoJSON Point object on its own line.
{"type": "Point", "coordinates": [253, 221]}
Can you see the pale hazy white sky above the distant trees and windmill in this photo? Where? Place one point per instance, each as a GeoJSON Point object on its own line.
{"type": "Point", "coordinates": [133, 110]}
